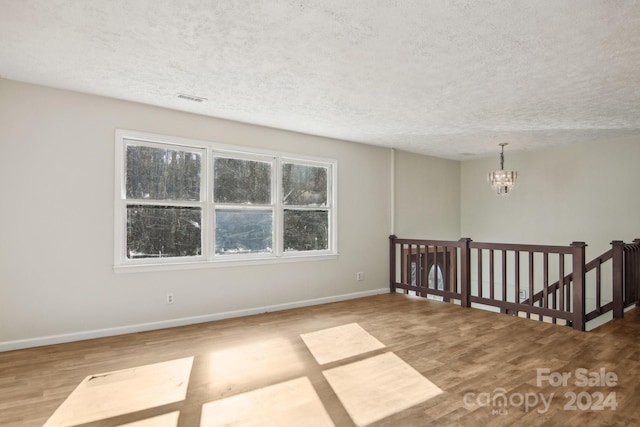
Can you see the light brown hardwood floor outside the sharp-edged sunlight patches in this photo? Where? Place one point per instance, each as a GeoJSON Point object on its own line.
{"type": "Point", "coordinates": [472, 356]}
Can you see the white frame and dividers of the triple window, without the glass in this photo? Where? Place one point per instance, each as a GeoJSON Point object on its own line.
{"type": "Point", "coordinates": [209, 151]}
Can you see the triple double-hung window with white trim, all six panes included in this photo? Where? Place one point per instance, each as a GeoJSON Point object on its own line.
{"type": "Point", "coordinates": [181, 201]}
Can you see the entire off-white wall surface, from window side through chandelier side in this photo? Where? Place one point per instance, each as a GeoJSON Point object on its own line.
{"type": "Point", "coordinates": [56, 223]}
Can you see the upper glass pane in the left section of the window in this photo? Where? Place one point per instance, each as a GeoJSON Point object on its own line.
{"type": "Point", "coordinates": [160, 174]}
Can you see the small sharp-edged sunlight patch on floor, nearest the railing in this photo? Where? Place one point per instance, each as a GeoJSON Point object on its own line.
{"type": "Point", "coordinates": [341, 342]}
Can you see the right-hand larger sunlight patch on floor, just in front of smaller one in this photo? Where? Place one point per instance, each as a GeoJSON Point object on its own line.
{"type": "Point", "coordinates": [378, 387]}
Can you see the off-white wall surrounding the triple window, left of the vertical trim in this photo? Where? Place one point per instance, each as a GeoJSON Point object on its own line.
{"type": "Point", "coordinates": [56, 251]}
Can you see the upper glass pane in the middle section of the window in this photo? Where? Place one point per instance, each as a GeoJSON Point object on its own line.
{"type": "Point", "coordinates": [241, 181]}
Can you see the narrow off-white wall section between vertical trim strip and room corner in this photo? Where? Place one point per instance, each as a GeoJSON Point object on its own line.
{"type": "Point", "coordinates": [427, 197]}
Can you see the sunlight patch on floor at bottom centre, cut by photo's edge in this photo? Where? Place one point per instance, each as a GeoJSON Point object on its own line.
{"type": "Point", "coordinates": [293, 403]}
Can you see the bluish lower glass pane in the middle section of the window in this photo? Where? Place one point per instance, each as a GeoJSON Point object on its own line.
{"type": "Point", "coordinates": [244, 231]}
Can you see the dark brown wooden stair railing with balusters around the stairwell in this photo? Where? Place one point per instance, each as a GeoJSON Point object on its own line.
{"type": "Point", "coordinates": [453, 270]}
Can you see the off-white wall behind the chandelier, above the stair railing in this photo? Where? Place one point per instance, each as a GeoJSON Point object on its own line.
{"type": "Point", "coordinates": [584, 192]}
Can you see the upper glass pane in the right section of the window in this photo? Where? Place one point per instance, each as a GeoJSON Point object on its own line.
{"type": "Point", "coordinates": [304, 185]}
